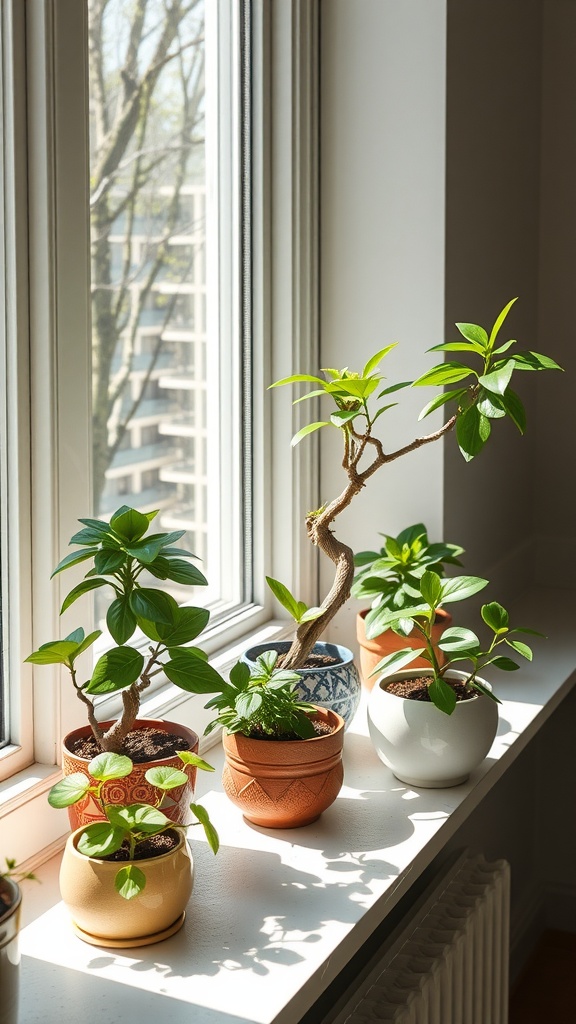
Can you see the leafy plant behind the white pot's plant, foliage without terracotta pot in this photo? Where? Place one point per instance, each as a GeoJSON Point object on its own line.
{"type": "Point", "coordinates": [390, 578]}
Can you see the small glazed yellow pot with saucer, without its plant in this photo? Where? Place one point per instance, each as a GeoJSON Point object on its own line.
{"type": "Point", "coordinates": [102, 917]}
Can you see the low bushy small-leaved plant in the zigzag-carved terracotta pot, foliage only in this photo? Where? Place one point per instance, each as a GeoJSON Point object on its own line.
{"type": "Point", "coordinates": [262, 702]}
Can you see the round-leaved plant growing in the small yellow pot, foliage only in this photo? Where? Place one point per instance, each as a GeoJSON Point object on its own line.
{"type": "Point", "coordinates": [130, 830]}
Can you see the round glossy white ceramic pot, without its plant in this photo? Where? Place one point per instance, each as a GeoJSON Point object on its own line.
{"type": "Point", "coordinates": [423, 746]}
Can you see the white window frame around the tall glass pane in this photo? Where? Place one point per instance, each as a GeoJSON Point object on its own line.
{"type": "Point", "coordinates": [284, 333]}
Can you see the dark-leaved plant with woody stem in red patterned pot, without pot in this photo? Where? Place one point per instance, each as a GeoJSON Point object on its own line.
{"type": "Point", "coordinates": [119, 552]}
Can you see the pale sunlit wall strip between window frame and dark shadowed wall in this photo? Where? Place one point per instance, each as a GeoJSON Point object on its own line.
{"type": "Point", "coordinates": [383, 102]}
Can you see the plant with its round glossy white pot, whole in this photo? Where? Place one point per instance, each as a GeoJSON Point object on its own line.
{"type": "Point", "coordinates": [434, 727]}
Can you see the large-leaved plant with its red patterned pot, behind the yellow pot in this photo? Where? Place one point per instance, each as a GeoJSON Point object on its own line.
{"type": "Point", "coordinates": [117, 554]}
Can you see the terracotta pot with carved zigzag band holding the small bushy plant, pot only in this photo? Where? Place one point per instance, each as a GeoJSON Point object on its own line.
{"type": "Point", "coordinates": [285, 784]}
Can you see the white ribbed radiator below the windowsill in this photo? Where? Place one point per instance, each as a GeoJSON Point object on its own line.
{"type": "Point", "coordinates": [450, 963]}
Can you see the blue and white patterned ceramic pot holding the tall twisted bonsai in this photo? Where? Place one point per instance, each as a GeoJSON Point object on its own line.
{"type": "Point", "coordinates": [335, 687]}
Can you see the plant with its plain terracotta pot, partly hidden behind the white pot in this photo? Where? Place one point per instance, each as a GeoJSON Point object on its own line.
{"type": "Point", "coordinates": [389, 579]}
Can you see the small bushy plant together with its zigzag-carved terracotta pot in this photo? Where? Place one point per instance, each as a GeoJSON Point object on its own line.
{"type": "Point", "coordinates": [283, 756]}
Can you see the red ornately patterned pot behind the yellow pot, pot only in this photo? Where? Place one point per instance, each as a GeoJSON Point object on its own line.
{"type": "Point", "coordinates": [134, 789]}
